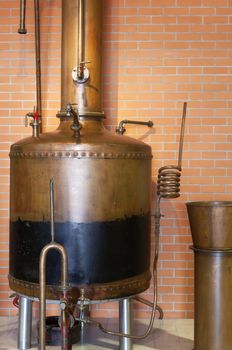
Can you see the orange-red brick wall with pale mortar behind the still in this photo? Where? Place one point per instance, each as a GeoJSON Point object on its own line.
{"type": "Point", "coordinates": [157, 54]}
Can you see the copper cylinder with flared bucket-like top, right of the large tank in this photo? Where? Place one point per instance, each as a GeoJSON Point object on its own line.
{"type": "Point", "coordinates": [211, 227]}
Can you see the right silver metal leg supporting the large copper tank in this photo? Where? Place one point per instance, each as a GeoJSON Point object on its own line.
{"type": "Point", "coordinates": [125, 323]}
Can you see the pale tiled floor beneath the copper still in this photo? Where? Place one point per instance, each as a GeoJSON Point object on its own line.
{"type": "Point", "coordinates": [167, 335]}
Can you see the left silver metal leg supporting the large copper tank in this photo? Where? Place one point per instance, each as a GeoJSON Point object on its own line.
{"type": "Point", "coordinates": [24, 323]}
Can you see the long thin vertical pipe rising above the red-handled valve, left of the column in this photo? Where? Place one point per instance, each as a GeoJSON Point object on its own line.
{"type": "Point", "coordinates": [37, 60]}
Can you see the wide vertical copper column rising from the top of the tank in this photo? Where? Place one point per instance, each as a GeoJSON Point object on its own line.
{"type": "Point", "coordinates": [82, 42]}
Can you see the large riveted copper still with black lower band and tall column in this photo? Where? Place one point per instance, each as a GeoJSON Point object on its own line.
{"type": "Point", "coordinates": [101, 184]}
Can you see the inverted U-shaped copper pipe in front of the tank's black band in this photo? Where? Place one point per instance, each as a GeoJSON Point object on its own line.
{"type": "Point", "coordinates": [42, 301]}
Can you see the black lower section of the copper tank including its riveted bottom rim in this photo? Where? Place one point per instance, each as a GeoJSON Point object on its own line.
{"type": "Point", "coordinates": [105, 258]}
